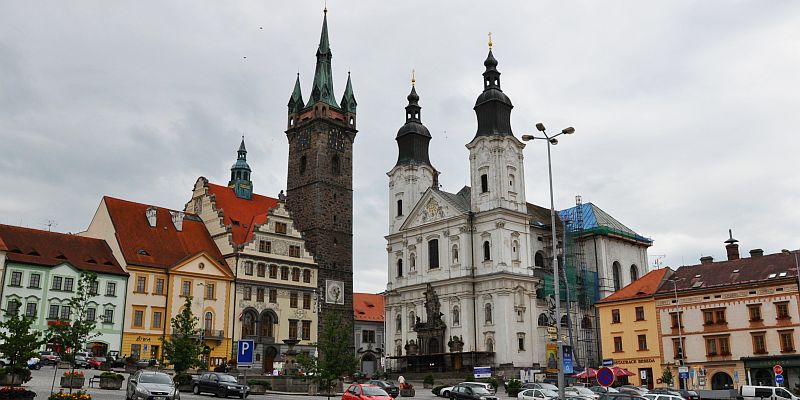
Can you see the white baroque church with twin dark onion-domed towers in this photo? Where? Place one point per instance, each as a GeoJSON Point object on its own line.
{"type": "Point", "coordinates": [464, 268]}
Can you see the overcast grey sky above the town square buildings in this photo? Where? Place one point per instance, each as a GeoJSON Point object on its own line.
{"type": "Point", "coordinates": [686, 112]}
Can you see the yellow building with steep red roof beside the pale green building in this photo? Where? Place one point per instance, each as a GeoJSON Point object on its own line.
{"type": "Point", "coordinates": [169, 255]}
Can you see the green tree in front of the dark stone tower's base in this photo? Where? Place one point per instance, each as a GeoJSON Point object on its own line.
{"type": "Point", "coordinates": [336, 358]}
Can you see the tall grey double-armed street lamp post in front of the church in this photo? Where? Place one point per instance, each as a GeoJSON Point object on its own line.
{"type": "Point", "coordinates": [551, 140]}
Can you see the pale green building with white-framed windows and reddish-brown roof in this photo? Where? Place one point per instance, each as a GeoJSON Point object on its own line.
{"type": "Point", "coordinates": [41, 271]}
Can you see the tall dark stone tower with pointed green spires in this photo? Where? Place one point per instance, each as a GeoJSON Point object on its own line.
{"type": "Point", "coordinates": [320, 178]}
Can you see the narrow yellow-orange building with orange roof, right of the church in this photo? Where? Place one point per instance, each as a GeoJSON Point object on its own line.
{"type": "Point", "coordinates": [629, 328]}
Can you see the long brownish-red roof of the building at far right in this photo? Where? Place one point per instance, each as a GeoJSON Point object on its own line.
{"type": "Point", "coordinates": [729, 273]}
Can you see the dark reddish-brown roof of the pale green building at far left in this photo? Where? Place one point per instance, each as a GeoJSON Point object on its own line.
{"type": "Point", "coordinates": [33, 246]}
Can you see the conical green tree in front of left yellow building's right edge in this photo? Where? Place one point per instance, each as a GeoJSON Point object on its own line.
{"type": "Point", "coordinates": [183, 348]}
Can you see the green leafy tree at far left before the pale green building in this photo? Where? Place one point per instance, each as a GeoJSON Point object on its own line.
{"type": "Point", "coordinates": [17, 341]}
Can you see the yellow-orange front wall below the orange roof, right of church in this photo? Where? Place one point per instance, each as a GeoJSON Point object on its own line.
{"type": "Point", "coordinates": [631, 358]}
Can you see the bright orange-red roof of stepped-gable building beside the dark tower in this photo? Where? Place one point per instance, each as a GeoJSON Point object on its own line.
{"type": "Point", "coordinates": [241, 214]}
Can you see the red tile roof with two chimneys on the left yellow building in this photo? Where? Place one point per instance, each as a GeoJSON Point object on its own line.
{"type": "Point", "coordinates": [161, 246]}
